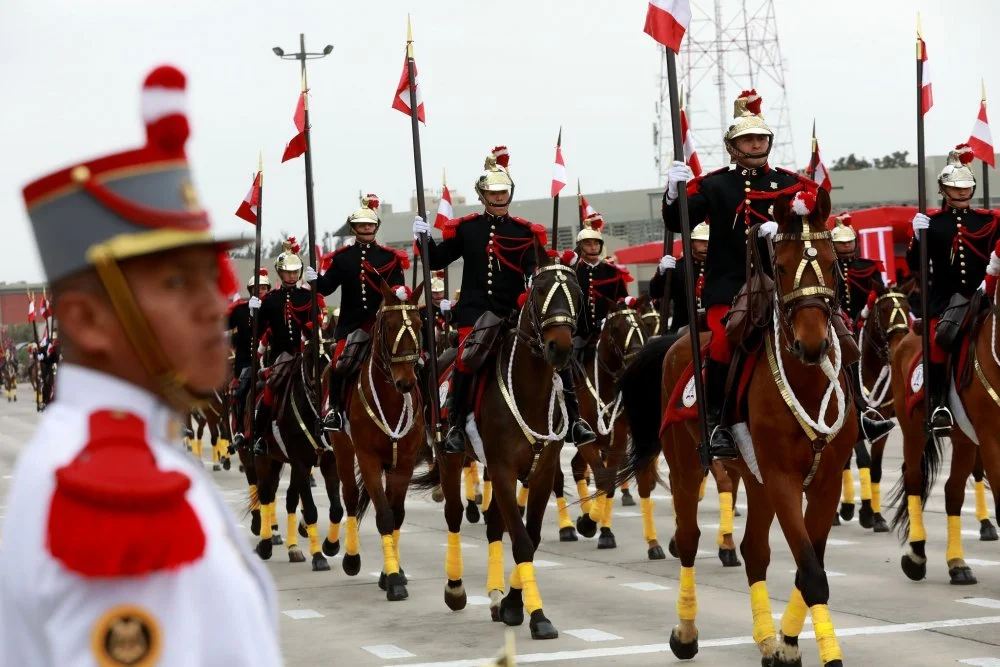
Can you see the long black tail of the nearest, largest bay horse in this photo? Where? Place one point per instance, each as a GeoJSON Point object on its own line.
{"type": "Point", "coordinates": [641, 386]}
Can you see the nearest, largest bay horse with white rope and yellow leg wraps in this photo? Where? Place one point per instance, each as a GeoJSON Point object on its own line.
{"type": "Point", "coordinates": [800, 430]}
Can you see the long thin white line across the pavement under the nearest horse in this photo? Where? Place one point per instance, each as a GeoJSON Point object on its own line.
{"type": "Point", "coordinates": [645, 649]}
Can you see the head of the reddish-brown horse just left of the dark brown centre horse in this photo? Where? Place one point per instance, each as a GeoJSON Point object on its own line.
{"type": "Point", "coordinates": [396, 340]}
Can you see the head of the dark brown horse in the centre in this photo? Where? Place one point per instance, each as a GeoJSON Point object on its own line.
{"type": "Point", "coordinates": [553, 304]}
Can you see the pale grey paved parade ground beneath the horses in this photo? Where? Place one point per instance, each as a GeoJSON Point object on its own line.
{"type": "Point", "coordinates": [613, 606]}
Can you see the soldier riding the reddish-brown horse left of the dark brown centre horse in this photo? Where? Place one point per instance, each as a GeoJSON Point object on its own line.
{"type": "Point", "coordinates": [358, 270]}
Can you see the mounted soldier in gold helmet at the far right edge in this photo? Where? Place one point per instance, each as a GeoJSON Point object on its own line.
{"type": "Point", "coordinates": [960, 240]}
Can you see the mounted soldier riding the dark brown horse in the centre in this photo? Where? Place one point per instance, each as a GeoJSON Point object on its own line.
{"type": "Point", "coordinates": [499, 258]}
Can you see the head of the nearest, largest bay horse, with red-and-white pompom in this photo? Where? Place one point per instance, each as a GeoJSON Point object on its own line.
{"type": "Point", "coordinates": [805, 265]}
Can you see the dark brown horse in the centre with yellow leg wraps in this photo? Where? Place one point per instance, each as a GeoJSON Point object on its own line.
{"type": "Point", "coordinates": [516, 439]}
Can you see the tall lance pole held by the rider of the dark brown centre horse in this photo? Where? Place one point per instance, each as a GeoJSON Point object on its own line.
{"type": "Point", "coordinates": [432, 394]}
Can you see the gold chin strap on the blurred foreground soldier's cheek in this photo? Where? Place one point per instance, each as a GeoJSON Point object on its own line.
{"type": "Point", "coordinates": [173, 388]}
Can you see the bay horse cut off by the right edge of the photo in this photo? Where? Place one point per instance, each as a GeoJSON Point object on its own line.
{"type": "Point", "coordinates": [975, 405]}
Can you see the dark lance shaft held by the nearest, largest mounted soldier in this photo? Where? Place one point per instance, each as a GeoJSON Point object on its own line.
{"type": "Point", "coordinates": [689, 277]}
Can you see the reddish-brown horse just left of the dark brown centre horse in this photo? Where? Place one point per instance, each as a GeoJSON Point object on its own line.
{"type": "Point", "coordinates": [385, 430]}
